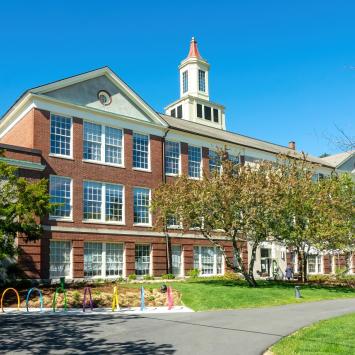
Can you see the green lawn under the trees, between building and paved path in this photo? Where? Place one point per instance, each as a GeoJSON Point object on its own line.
{"type": "Point", "coordinates": [203, 295]}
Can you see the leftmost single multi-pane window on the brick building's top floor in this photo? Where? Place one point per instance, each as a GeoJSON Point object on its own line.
{"type": "Point", "coordinates": [60, 141]}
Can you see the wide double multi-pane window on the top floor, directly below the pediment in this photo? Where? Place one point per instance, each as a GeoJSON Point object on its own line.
{"type": "Point", "coordinates": [102, 143]}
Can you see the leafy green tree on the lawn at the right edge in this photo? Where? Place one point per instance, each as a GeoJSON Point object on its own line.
{"type": "Point", "coordinates": [314, 214]}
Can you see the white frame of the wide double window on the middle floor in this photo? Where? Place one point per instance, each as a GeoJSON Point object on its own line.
{"type": "Point", "coordinates": [103, 204]}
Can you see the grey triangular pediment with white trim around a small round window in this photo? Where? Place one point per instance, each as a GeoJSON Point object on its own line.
{"type": "Point", "coordinates": [83, 90]}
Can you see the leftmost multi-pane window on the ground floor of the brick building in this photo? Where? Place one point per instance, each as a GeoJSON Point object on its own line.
{"type": "Point", "coordinates": [59, 259]}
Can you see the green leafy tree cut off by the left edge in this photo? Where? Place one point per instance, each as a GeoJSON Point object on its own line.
{"type": "Point", "coordinates": [22, 204]}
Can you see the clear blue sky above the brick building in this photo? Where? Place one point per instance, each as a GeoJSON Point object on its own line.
{"type": "Point", "coordinates": [285, 70]}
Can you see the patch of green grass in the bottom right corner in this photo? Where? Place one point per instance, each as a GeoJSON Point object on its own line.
{"type": "Point", "coordinates": [332, 336]}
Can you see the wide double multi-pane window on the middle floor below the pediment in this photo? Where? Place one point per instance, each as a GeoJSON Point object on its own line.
{"type": "Point", "coordinates": [103, 202]}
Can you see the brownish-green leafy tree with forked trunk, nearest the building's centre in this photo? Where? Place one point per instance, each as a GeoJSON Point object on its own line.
{"type": "Point", "coordinates": [241, 202]}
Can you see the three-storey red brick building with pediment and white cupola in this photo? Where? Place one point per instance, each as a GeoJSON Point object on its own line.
{"type": "Point", "coordinates": [104, 150]}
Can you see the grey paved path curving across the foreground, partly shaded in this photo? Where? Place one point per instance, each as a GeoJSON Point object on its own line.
{"type": "Point", "coordinates": [248, 331]}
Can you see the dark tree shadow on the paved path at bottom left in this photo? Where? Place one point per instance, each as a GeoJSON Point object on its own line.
{"type": "Point", "coordinates": [43, 334]}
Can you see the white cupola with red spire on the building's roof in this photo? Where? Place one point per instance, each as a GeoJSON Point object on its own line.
{"type": "Point", "coordinates": [194, 103]}
